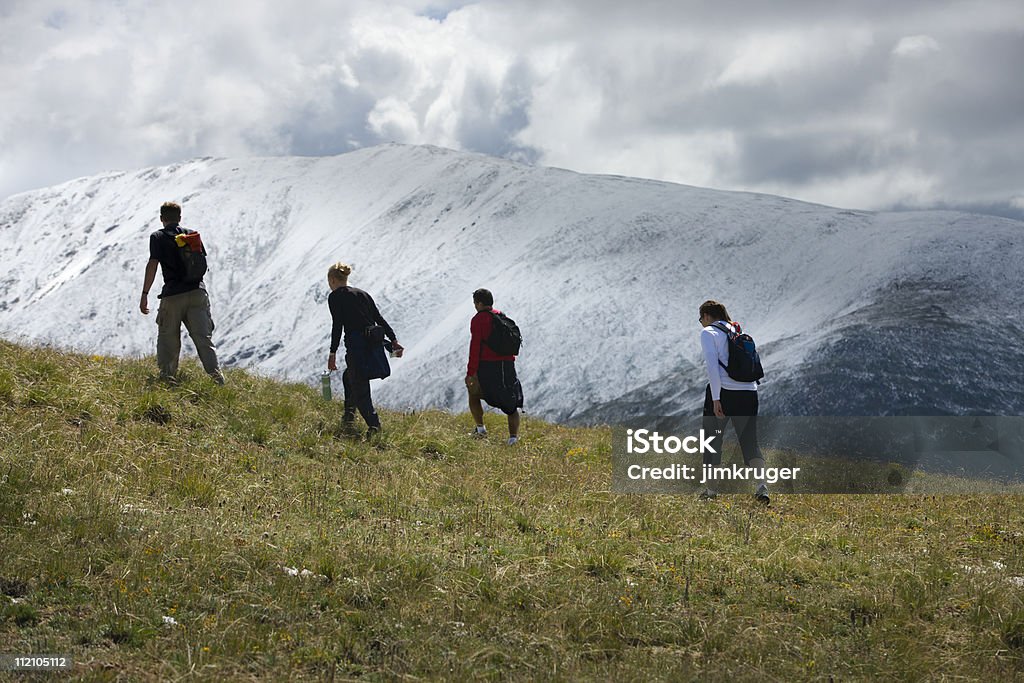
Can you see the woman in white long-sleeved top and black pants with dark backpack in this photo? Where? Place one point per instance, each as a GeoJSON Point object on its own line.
{"type": "Point", "coordinates": [728, 399]}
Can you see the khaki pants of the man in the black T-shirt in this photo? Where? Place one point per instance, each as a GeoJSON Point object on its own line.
{"type": "Point", "coordinates": [193, 309]}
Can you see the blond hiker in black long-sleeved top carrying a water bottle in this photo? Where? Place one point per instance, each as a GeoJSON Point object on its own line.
{"type": "Point", "coordinates": [355, 313]}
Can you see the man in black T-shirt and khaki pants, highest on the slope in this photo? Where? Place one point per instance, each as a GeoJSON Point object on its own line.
{"type": "Point", "coordinates": [182, 258]}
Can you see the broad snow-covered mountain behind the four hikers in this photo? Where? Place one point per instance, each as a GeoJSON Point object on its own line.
{"type": "Point", "coordinates": [856, 313]}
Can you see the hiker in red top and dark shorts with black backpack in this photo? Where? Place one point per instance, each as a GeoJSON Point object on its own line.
{"type": "Point", "coordinates": [491, 374]}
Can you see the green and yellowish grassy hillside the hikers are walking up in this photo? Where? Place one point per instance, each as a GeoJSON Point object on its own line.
{"type": "Point", "coordinates": [232, 533]}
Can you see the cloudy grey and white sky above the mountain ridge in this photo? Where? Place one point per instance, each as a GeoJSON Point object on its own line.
{"type": "Point", "coordinates": [867, 104]}
